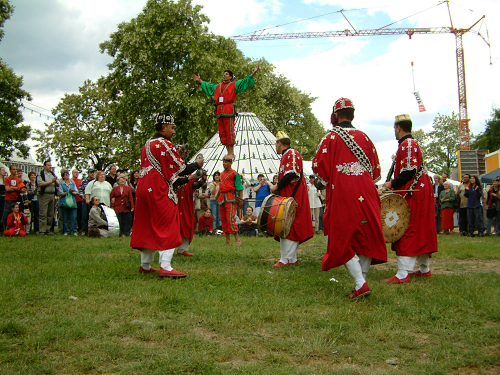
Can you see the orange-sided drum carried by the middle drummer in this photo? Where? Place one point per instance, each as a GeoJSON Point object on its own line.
{"type": "Point", "coordinates": [276, 215]}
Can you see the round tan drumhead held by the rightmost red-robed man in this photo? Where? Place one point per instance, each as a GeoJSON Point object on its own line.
{"type": "Point", "coordinates": [395, 216]}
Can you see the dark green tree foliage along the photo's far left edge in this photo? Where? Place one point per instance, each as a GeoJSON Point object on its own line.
{"type": "Point", "coordinates": [12, 134]}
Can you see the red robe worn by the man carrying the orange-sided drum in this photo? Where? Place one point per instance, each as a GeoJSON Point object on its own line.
{"type": "Point", "coordinates": [302, 229]}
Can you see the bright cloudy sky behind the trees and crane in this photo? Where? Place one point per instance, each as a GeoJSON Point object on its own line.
{"type": "Point", "coordinates": [54, 44]}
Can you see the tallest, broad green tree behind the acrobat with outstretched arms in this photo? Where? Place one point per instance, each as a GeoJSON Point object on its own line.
{"type": "Point", "coordinates": [156, 53]}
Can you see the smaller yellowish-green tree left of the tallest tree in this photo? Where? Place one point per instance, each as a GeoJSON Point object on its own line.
{"type": "Point", "coordinates": [84, 133]}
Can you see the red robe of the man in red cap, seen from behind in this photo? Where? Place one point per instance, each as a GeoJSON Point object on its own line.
{"type": "Point", "coordinates": [352, 214]}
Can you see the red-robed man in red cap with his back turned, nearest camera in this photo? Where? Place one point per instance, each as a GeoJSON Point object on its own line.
{"type": "Point", "coordinates": [347, 164]}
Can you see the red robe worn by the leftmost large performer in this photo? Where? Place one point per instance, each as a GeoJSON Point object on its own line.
{"type": "Point", "coordinates": [156, 224]}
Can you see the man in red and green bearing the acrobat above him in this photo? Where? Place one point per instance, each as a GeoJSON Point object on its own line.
{"type": "Point", "coordinates": [230, 185]}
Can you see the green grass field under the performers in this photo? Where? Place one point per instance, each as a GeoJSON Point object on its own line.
{"type": "Point", "coordinates": [236, 314]}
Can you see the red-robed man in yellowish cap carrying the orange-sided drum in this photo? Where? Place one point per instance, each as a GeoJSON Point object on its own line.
{"type": "Point", "coordinates": [291, 183]}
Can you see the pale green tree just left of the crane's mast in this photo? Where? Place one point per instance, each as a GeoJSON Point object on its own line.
{"type": "Point", "coordinates": [442, 143]}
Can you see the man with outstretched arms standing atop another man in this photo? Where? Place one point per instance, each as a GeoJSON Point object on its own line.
{"type": "Point", "coordinates": [225, 94]}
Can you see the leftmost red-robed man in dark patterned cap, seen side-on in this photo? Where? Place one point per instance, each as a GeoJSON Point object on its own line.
{"type": "Point", "coordinates": [156, 224]}
